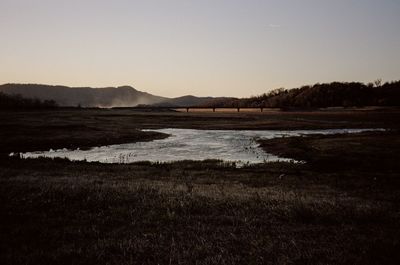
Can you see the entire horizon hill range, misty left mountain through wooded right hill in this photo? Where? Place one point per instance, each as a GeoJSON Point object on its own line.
{"type": "Point", "coordinates": [335, 94]}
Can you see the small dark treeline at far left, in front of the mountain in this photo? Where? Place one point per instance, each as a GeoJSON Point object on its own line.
{"type": "Point", "coordinates": [18, 102]}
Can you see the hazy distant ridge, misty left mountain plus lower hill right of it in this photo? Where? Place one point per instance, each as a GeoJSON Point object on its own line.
{"type": "Point", "coordinates": [106, 97]}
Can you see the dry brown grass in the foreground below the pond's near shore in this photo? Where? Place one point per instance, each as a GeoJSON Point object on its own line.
{"type": "Point", "coordinates": [58, 212]}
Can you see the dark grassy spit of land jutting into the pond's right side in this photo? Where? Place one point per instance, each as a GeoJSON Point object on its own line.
{"type": "Point", "coordinates": [362, 151]}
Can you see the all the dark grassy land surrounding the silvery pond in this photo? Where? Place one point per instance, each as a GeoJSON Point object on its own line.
{"type": "Point", "coordinates": [340, 207]}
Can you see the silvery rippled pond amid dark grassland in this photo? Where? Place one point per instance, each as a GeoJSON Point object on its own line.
{"type": "Point", "coordinates": [239, 146]}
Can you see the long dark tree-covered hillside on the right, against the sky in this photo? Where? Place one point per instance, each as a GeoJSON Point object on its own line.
{"type": "Point", "coordinates": [336, 94]}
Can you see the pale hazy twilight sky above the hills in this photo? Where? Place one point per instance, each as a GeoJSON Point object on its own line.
{"type": "Point", "coordinates": [202, 47]}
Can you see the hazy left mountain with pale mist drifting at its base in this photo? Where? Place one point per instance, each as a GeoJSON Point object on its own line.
{"type": "Point", "coordinates": [124, 96]}
